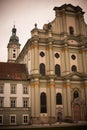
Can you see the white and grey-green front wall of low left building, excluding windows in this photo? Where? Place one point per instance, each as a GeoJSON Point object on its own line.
{"type": "Point", "coordinates": [19, 111]}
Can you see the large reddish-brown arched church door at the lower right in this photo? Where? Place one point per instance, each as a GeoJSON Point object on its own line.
{"type": "Point", "coordinates": [77, 112]}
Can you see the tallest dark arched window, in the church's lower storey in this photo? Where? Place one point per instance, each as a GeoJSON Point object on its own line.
{"type": "Point", "coordinates": [43, 108]}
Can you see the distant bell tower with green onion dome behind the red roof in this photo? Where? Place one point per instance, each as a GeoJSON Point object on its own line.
{"type": "Point", "coordinates": [13, 46]}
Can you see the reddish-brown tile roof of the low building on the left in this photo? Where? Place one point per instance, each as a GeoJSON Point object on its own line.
{"type": "Point", "coordinates": [13, 71]}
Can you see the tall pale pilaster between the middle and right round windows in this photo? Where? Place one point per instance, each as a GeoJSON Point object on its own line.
{"type": "Point", "coordinates": [67, 60]}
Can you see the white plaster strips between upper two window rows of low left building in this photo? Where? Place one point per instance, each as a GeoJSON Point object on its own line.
{"type": "Point", "coordinates": [19, 95]}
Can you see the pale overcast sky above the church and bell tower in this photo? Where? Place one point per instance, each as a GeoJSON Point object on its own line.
{"type": "Point", "coordinates": [24, 14]}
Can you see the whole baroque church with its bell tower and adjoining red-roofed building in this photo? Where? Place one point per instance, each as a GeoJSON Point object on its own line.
{"type": "Point", "coordinates": [47, 81]}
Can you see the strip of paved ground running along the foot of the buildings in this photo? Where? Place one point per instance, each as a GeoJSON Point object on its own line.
{"type": "Point", "coordinates": [63, 124]}
